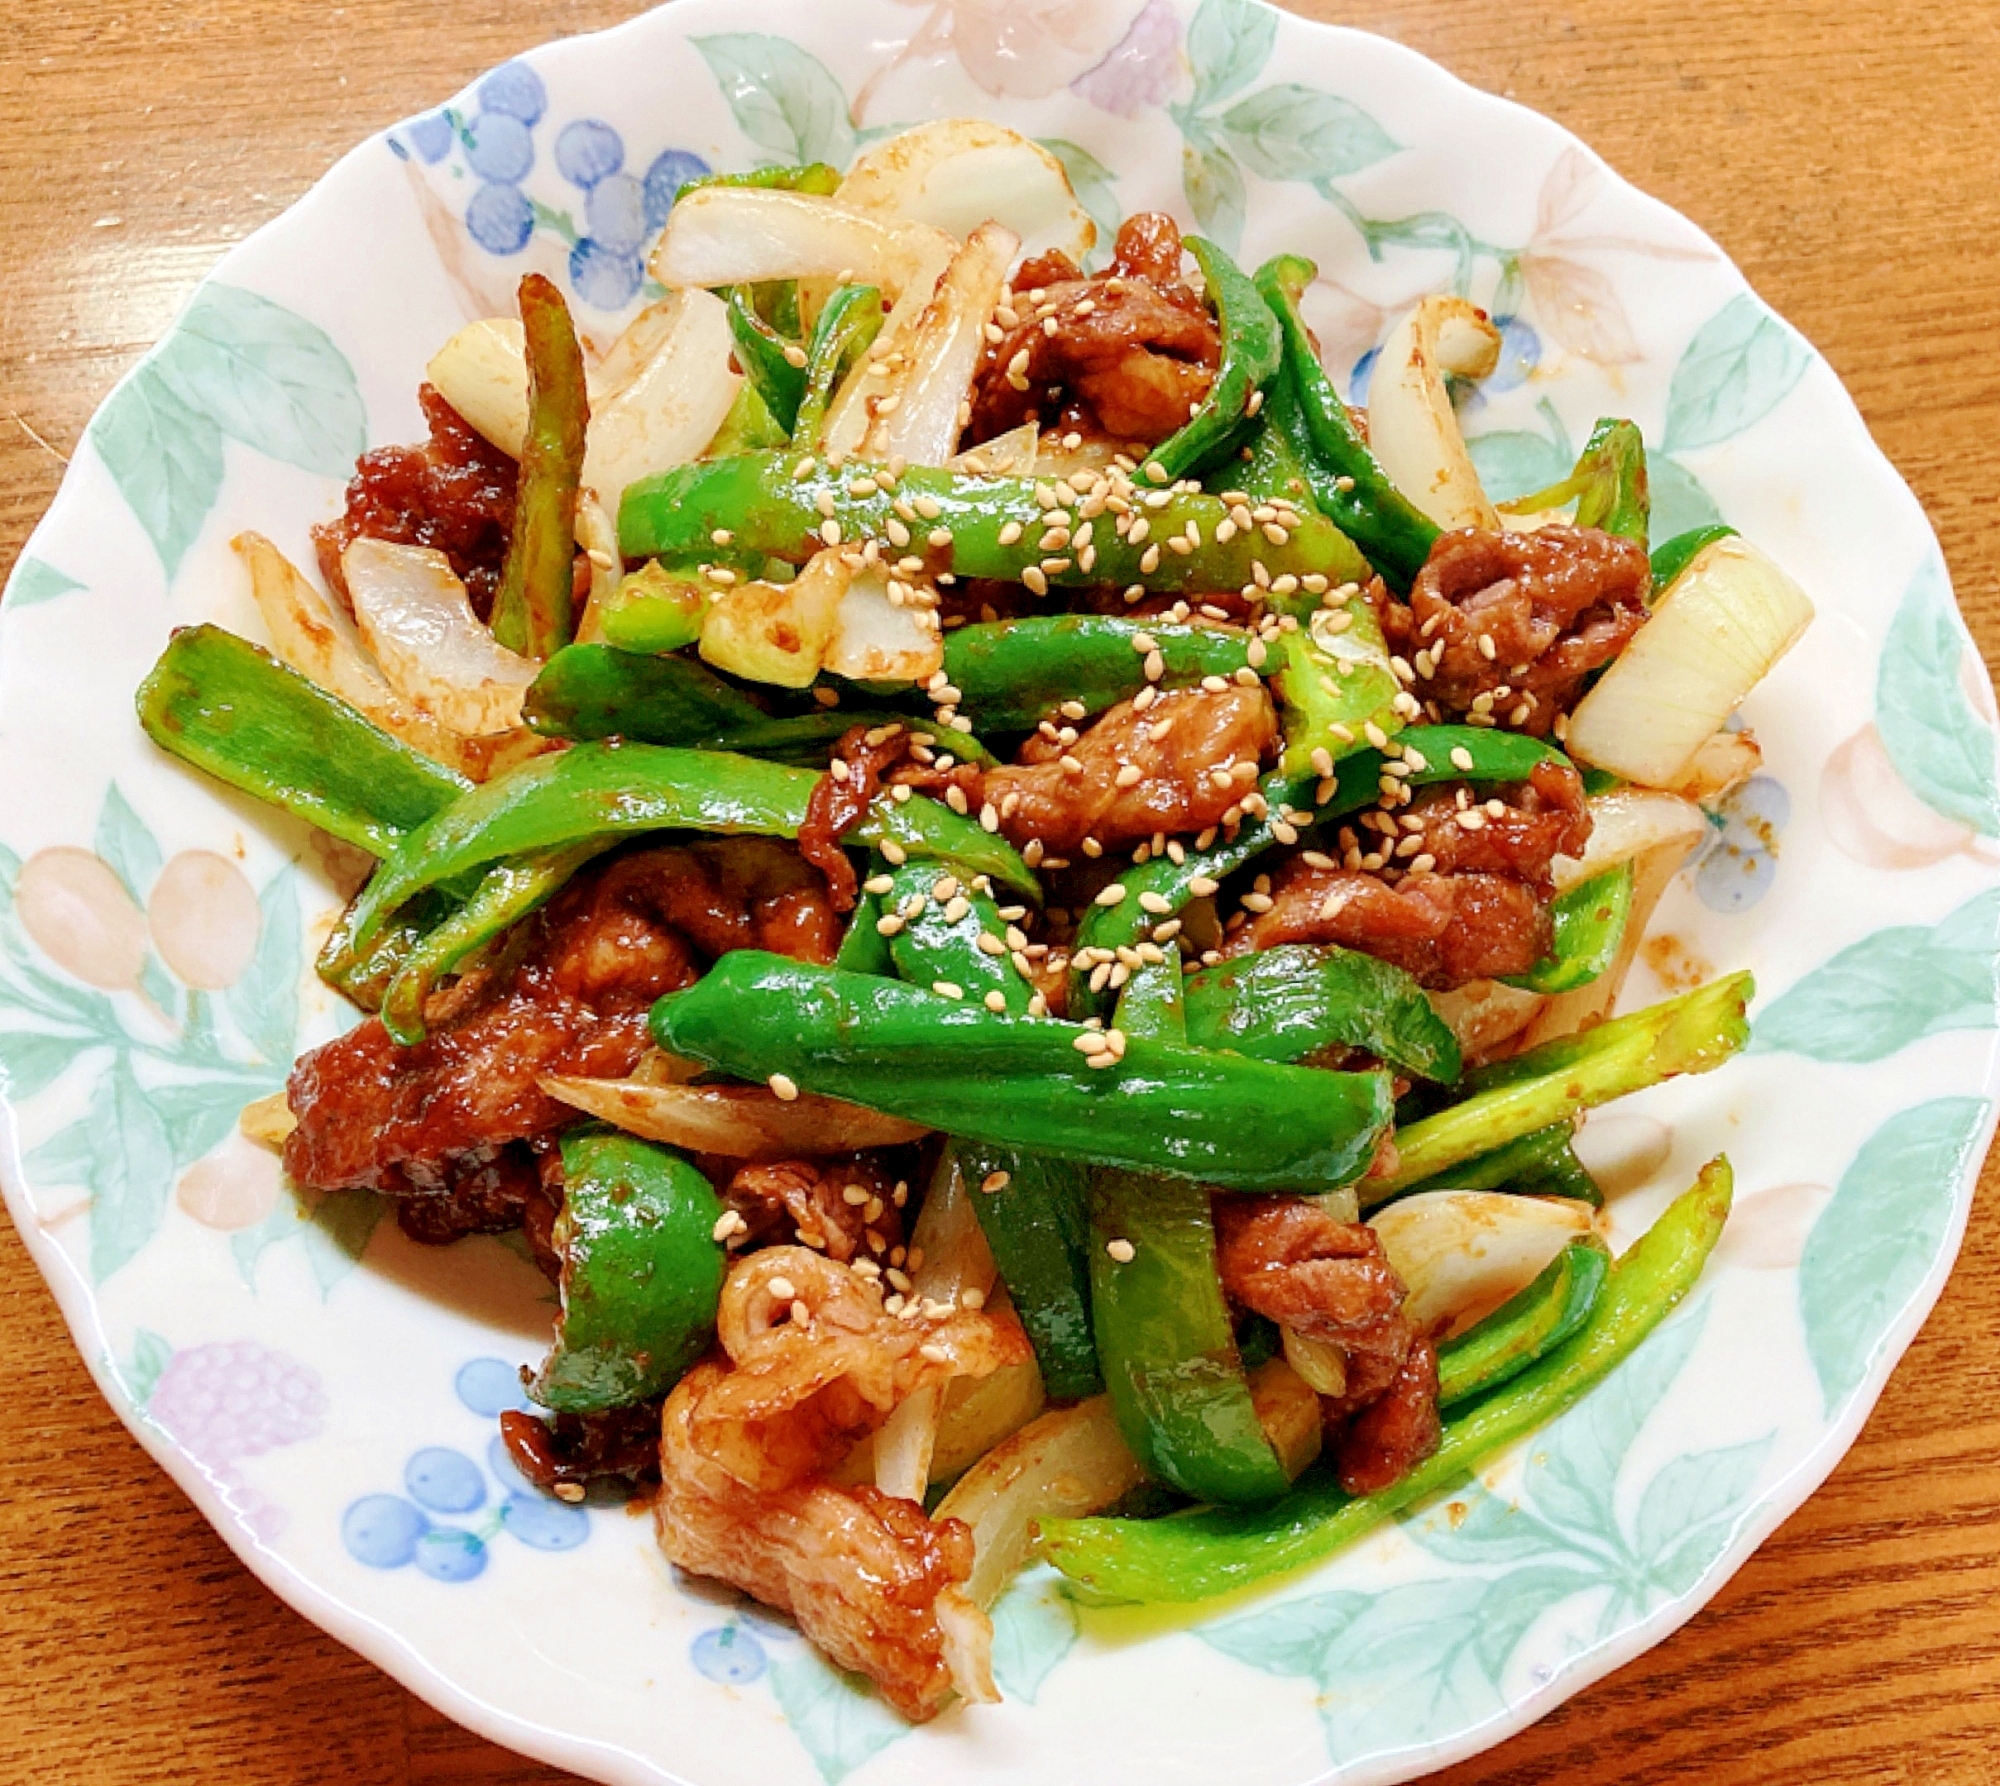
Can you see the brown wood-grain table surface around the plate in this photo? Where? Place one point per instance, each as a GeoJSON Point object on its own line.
{"type": "Point", "coordinates": [1843, 155]}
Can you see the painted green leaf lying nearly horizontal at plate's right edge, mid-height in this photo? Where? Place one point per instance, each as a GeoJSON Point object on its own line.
{"type": "Point", "coordinates": [1891, 989]}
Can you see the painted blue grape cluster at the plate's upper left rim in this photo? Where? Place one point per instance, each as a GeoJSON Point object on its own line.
{"type": "Point", "coordinates": [623, 211]}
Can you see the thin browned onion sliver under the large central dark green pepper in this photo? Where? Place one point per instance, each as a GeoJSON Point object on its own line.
{"type": "Point", "coordinates": [743, 1123]}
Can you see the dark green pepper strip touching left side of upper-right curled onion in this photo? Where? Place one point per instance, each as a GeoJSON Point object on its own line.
{"type": "Point", "coordinates": [1369, 509]}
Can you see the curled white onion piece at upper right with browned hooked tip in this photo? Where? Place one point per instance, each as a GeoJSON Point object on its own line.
{"type": "Point", "coordinates": [1411, 421]}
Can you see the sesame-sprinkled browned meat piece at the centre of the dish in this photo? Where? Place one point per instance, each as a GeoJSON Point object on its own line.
{"type": "Point", "coordinates": [1177, 765]}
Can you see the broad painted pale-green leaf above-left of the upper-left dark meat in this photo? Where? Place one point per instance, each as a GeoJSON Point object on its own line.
{"type": "Point", "coordinates": [269, 379]}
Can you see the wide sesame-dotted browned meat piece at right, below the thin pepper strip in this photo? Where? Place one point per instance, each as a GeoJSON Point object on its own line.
{"type": "Point", "coordinates": [1471, 901]}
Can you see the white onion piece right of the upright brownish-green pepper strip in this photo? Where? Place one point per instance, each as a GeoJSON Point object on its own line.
{"type": "Point", "coordinates": [669, 405]}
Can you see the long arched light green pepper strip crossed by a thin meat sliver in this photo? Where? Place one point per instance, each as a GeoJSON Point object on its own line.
{"type": "Point", "coordinates": [605, 791]}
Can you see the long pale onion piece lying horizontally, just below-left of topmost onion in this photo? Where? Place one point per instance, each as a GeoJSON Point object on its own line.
{"type": "Point", "coordinates": [743, 235]}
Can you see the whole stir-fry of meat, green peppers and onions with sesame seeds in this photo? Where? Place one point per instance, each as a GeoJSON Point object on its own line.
{"type": "Point", "coordinates": [1021, 905]}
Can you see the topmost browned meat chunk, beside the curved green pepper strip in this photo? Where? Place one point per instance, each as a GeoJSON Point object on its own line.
{"type": "Point", "coordinates": [1133, 347]}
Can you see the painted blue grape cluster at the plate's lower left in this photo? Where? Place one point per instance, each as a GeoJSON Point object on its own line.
{"type": "Point", "coordinates": [445, 1485]}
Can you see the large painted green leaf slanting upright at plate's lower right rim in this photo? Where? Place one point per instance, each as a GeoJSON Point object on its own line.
{"type": "Point", "coordinates": [1881, 1235]}
